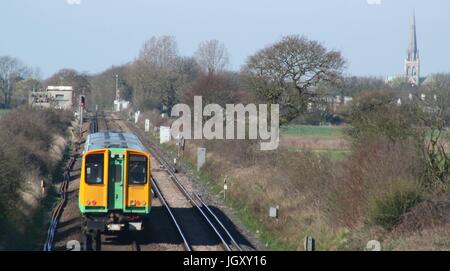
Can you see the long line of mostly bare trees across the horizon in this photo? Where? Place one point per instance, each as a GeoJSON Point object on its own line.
{"type": "Point", "coordinates": [292, 72]}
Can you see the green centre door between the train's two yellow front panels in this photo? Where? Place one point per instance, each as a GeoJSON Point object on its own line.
{"type": "Point", "coordinates": [115, 183]}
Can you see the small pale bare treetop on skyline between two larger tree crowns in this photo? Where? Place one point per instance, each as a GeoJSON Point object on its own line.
{"type": "Point", "coordinates": [212, 56]}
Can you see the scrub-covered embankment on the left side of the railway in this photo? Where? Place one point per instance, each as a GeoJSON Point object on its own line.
{"type": "Point", "coordinates": [32, 143]}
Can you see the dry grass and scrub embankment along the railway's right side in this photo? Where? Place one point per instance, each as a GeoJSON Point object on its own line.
{"type": "Point", "coordinates": [383, 190]}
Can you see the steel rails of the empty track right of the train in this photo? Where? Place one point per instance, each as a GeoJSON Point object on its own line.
{"type": "Point", "coordinates": [227, 241]}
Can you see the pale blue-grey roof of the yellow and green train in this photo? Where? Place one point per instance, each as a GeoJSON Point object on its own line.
{"type": "Point", "coordinates": [113, 139]}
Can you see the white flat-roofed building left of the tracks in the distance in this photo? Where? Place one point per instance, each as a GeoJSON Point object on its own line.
{"type": "Point", "coordinates": [58, 97]}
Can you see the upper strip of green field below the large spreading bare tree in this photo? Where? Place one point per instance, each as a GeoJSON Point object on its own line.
{"type": "Point", "coordinates": [325, 132]}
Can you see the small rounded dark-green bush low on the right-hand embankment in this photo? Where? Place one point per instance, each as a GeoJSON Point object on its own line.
{"type": "Point", "coordinates": [387, 208]}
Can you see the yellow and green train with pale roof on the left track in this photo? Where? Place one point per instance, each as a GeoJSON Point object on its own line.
{"type": "Point", "coordinates": [115, 183]}
